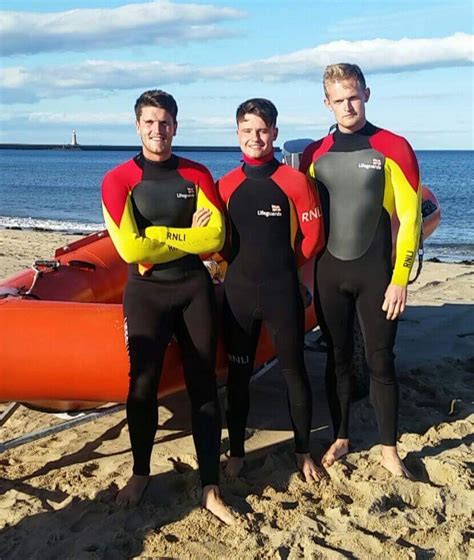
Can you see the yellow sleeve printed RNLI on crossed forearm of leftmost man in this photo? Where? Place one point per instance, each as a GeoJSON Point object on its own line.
{"type": "Point", "coordinates": [196, 240]}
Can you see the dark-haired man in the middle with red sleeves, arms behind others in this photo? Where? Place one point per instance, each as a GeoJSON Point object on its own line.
{"type": "Point", "coordinates": [275, 227]}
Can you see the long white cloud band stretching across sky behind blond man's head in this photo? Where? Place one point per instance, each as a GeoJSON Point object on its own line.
{"type": "Point", "coordinates": [376, 56]}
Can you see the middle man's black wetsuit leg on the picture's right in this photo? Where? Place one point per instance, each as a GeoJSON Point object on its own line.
{"type": "Point", "coordinates": [283, 311]}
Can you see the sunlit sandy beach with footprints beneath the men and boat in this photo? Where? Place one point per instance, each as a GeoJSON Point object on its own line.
{"type": "Point", "coordinates": [57, 494]}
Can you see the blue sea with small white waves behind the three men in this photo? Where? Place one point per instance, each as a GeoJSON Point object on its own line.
{"type": "Point", "coordinates": [60, 190]}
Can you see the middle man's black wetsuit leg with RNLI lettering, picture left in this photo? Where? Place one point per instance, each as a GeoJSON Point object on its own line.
{"type": "Point", "coordinates": [241, 331]}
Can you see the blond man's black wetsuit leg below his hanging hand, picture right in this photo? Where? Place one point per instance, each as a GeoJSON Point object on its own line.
{"type": "Point", "coordinates": [379, 337]}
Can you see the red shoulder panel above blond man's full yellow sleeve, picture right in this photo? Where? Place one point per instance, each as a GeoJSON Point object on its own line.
{"type": "Point", "coordinates": [399, 150]}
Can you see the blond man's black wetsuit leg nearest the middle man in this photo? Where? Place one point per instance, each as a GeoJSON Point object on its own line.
{"type": "Point", "coordinates": [335, 307]}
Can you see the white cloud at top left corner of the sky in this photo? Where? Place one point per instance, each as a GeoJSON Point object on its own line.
{"type": "Point", "coordinates": [159, 21]}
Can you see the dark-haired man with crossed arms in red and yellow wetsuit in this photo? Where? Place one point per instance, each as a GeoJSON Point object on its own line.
{"type": "Point", "coordinates": [161, 212]}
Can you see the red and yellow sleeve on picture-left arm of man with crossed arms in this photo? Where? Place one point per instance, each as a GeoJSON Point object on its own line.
{"type": "Point", "coordinates": [131, 244]}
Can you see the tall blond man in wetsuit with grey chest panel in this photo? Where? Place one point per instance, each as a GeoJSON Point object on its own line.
{"type": "Point", "coordinates": [365, 175]}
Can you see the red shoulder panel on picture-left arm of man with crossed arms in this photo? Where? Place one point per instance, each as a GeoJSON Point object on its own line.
{"type": "Point", "coordinates": [116, 186]}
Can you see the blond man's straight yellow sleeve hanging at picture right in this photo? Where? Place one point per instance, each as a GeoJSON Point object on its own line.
{"type": "Point", "coordinates": [403, 175]}
